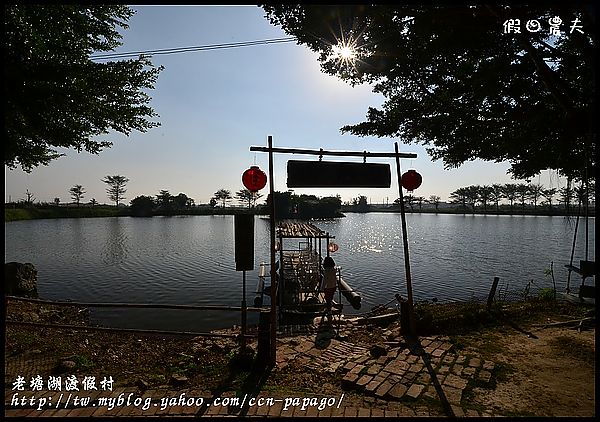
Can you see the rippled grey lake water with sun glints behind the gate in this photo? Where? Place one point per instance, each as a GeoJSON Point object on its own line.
{"type": "Point", "coordinates": [190, 260]}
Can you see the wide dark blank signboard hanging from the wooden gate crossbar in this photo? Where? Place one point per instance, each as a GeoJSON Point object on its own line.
{"type": "Point", "coordinates": [332, 174]}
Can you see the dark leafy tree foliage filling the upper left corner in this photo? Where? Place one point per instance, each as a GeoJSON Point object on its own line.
{"type": "Point", "coordinates": [56, 96]}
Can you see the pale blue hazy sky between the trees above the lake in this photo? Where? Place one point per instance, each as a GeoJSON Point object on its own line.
{"type": "Point", "coordinates": [213, 105]}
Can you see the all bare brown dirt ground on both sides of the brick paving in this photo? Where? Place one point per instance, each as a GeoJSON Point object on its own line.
{"type": "Point", "coordinates": [540, 371]}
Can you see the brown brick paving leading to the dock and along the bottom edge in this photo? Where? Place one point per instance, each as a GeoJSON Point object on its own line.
{"type": "Point", "coordinates": [389, 382]}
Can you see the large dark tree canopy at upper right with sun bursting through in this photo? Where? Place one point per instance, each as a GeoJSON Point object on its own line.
{"type": "Point", "coordinates": [455, 82]}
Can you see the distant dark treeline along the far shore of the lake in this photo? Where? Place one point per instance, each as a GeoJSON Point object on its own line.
{"type": "Point", "coordinates": [523, 199]}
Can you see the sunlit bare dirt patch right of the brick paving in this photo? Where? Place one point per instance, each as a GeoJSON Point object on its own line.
{"type": "Point", "coordinates": [548, 372]}
